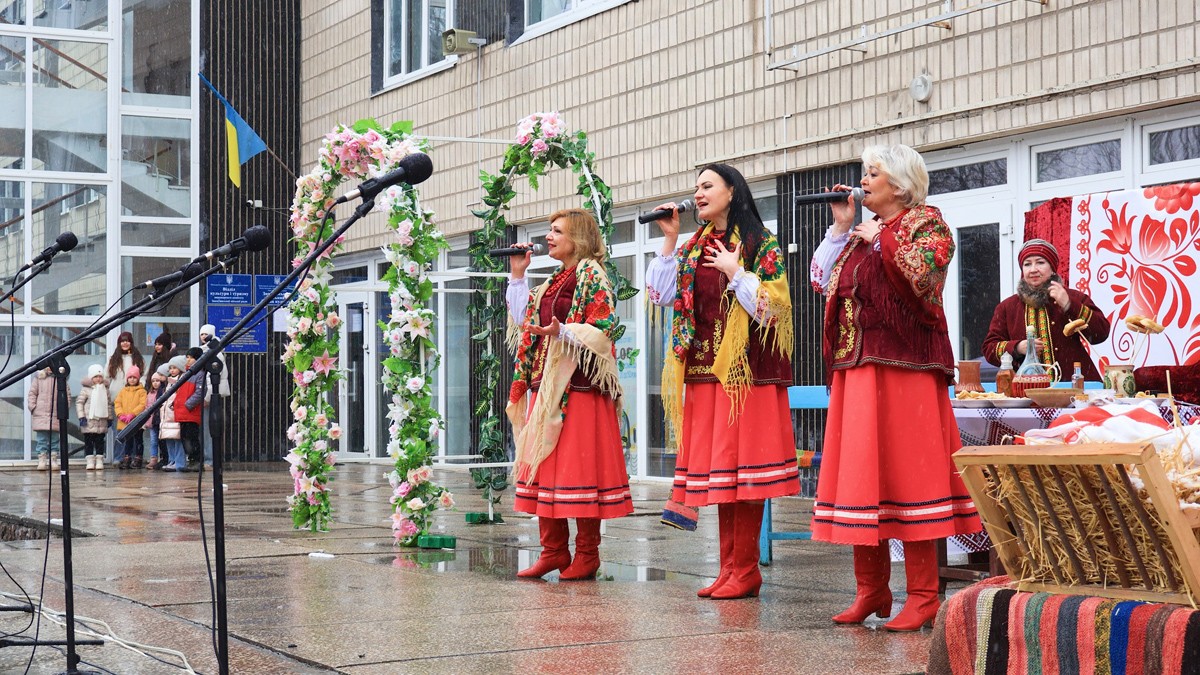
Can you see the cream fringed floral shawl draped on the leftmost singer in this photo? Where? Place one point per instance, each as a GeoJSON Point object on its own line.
{"type": "Point", "coordinates": [589, 347]}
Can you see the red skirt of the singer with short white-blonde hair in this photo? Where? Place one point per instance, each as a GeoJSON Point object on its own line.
{"type": "Point", "coordinates": [886, 468]}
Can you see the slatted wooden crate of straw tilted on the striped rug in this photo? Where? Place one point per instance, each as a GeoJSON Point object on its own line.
{"type": "Point", "coordinates": [1069, 519]}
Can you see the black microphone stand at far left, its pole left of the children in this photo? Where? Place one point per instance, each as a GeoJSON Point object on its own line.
{"type": "Point", "coordinates": [58, 363]}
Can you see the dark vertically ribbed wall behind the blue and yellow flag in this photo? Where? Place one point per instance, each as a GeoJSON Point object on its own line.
{"type": "Point", "coordinates": [254, 59]}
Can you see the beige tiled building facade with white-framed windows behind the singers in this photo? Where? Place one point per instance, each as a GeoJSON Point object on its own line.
{"type": "Point", "coordinates": [1011, 103]}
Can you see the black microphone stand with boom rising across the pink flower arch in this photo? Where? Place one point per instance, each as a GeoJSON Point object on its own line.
{"type": "Point", "coordinates": [218, 419]}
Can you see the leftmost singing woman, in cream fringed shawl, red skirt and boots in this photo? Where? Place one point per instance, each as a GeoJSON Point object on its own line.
{"type": "Point", "coordinates": [565, 399]}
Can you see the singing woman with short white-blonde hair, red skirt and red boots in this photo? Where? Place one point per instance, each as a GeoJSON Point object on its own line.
{"type": "Point", "coordinates": [886, 471]}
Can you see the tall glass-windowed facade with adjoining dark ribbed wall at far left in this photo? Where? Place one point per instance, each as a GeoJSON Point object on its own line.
{"type": "Point", "coordinates": [107, 133]}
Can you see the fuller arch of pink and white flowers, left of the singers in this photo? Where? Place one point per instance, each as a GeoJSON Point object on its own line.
{"type": "Point", "coordinates": [359, 153]}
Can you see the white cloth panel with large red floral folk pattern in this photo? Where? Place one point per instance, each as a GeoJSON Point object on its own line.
{"type": "Point", "coordinates": [1137, 252]}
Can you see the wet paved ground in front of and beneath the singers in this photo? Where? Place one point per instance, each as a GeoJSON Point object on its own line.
{"type": "Point", "coordinates": [369, 608]}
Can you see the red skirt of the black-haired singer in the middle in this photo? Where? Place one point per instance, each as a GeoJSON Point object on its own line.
{"type": "Point", "coordinates": [753, 458]}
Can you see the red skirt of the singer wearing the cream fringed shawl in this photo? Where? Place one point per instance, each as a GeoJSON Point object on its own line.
{"type": "Point", "coordinates": [585, 477]}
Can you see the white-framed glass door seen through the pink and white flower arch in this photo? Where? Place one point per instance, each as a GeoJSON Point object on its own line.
{"type": "Point", "coordinates": [356, 405]}
